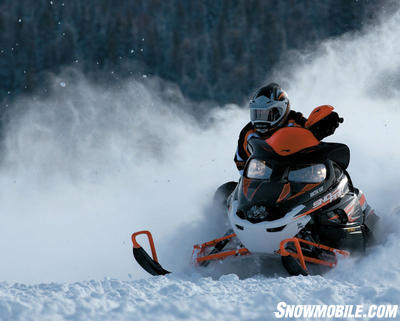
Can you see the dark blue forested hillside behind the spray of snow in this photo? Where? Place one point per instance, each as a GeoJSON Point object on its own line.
{"type": "Point", "coordinates": [213, 49]}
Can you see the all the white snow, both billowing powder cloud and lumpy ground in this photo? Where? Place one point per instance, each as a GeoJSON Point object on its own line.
{"type": "Point", "coordinates": [87, 166]}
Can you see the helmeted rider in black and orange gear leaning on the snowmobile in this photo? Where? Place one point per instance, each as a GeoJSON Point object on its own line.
{"type": "Point", "coordinates": [269, 111]}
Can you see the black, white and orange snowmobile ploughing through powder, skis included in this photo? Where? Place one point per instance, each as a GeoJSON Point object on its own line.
{"type": "Point", "coordinates": [295, 200]}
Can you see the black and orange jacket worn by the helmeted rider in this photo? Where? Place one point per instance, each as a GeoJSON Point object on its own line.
{"type": "Point", "coordinates": [242, 154]}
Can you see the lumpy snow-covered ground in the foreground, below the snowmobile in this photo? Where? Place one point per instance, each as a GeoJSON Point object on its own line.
{"type": "Point", "coordinates": [193, 297]}
